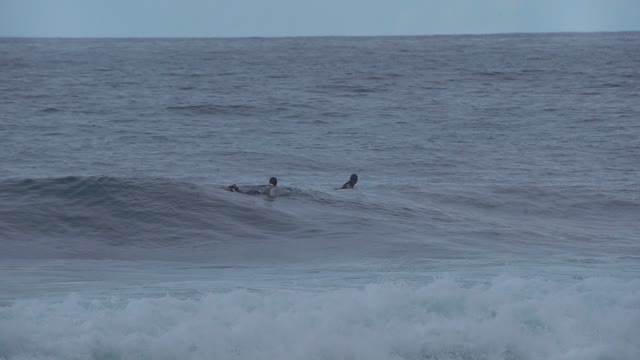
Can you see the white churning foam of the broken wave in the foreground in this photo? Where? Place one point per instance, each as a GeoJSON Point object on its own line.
{"type": "Point", "coordinates": [508, 318]}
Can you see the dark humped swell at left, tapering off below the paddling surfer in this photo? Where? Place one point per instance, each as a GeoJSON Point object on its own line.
{"type": "Point", "coordinates": [145, 212]}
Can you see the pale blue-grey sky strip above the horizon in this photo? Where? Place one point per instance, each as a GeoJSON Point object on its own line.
{"type": "Point", "coordinates": [243, 18]}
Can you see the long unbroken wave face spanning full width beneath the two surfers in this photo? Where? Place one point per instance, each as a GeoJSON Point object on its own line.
{"type": "Point", "coordinates": [156, 218]}
